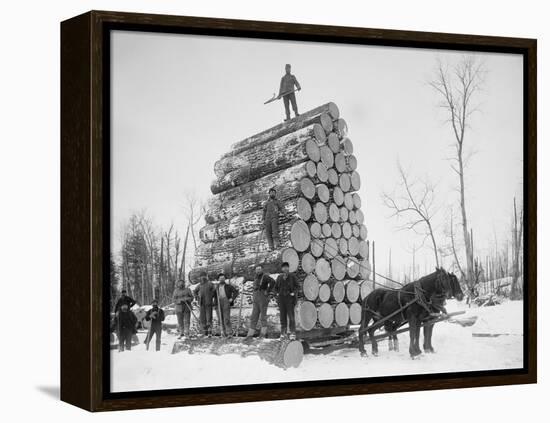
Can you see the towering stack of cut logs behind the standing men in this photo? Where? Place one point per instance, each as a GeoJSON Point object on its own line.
{"type": "Point", "coordinates": [309, 160]}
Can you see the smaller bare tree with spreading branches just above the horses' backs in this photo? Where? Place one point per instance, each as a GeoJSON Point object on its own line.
{"type": "Point", "coordinates": [415, 202]}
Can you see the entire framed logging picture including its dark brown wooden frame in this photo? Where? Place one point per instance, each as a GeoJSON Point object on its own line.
{"type": "Point", "coordinates": [257, 211]}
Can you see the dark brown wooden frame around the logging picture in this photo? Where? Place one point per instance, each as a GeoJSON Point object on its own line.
{"type": "Point", "coordinates": [85, 208]}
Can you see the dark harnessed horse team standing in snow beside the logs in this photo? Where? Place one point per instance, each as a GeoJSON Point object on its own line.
{"type": "Point", "coordinates": [412, 304]}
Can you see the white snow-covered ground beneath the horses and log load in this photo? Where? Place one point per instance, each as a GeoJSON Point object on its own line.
{"type": "Point", "coordinates": [456, 350]}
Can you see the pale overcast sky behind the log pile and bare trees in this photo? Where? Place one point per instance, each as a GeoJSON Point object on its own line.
{"type": "Point", "coordinates": [180, 101]}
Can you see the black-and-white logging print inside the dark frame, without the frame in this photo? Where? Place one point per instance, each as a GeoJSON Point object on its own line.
{"type": "Point", "coordinates": [297, 211]}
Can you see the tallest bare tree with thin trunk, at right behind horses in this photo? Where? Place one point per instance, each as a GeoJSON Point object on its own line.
{"type": "Point", "coordinates": [457, 88]}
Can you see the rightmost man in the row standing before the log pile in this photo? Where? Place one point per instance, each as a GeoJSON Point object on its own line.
{"type": "Point", "coordinates": [285, 290]}
